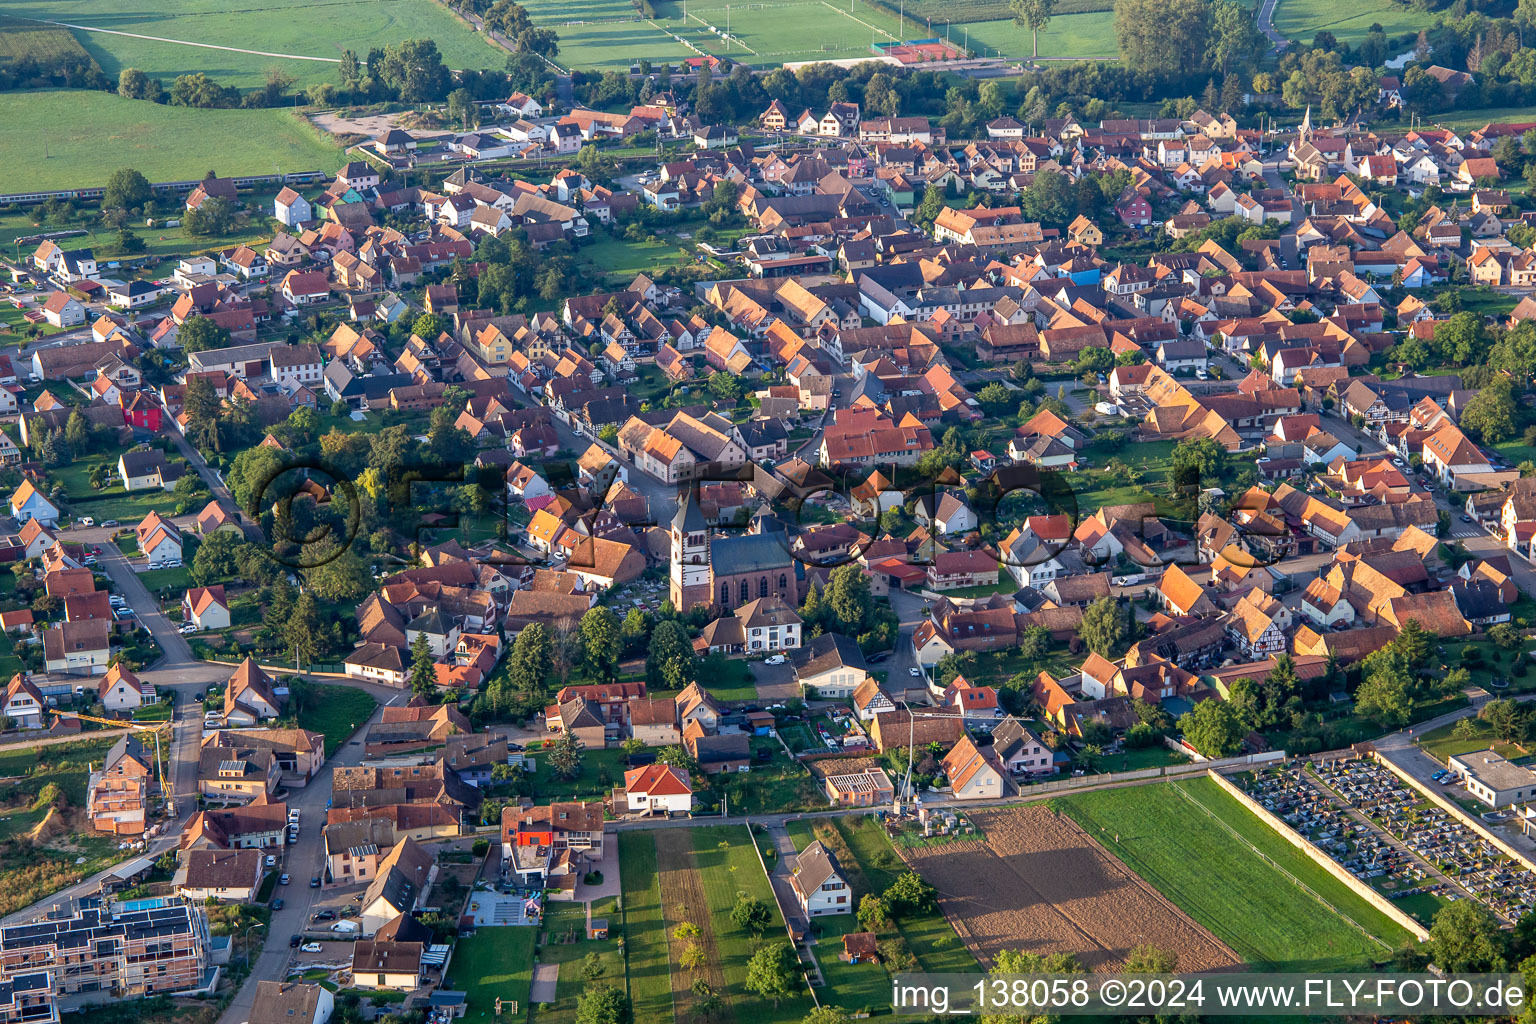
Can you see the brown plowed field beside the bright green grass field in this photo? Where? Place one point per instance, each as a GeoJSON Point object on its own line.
{"type": "Point", "coordinates": [1042, 885]}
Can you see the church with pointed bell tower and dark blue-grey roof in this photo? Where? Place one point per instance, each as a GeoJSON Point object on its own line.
{"type": "Point", "coordinates": [727, 572]}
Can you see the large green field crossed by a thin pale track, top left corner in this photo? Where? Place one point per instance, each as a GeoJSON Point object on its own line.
{"type": "Point", "coordinates": [294, 28]}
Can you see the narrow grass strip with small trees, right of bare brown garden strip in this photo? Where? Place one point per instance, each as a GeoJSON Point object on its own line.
{"type": "Point", "coordinates": [729, 865]}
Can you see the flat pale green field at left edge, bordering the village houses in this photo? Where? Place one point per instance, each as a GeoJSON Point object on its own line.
{"type": "Point", "coordinates": [68, 139]}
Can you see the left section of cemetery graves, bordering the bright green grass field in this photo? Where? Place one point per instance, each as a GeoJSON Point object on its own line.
{"type": "Point", "coordinates": [1268, 788]}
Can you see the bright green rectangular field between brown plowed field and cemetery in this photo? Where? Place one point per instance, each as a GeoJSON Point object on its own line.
{"type": "Point", "coordinates": [1197, 847]}
